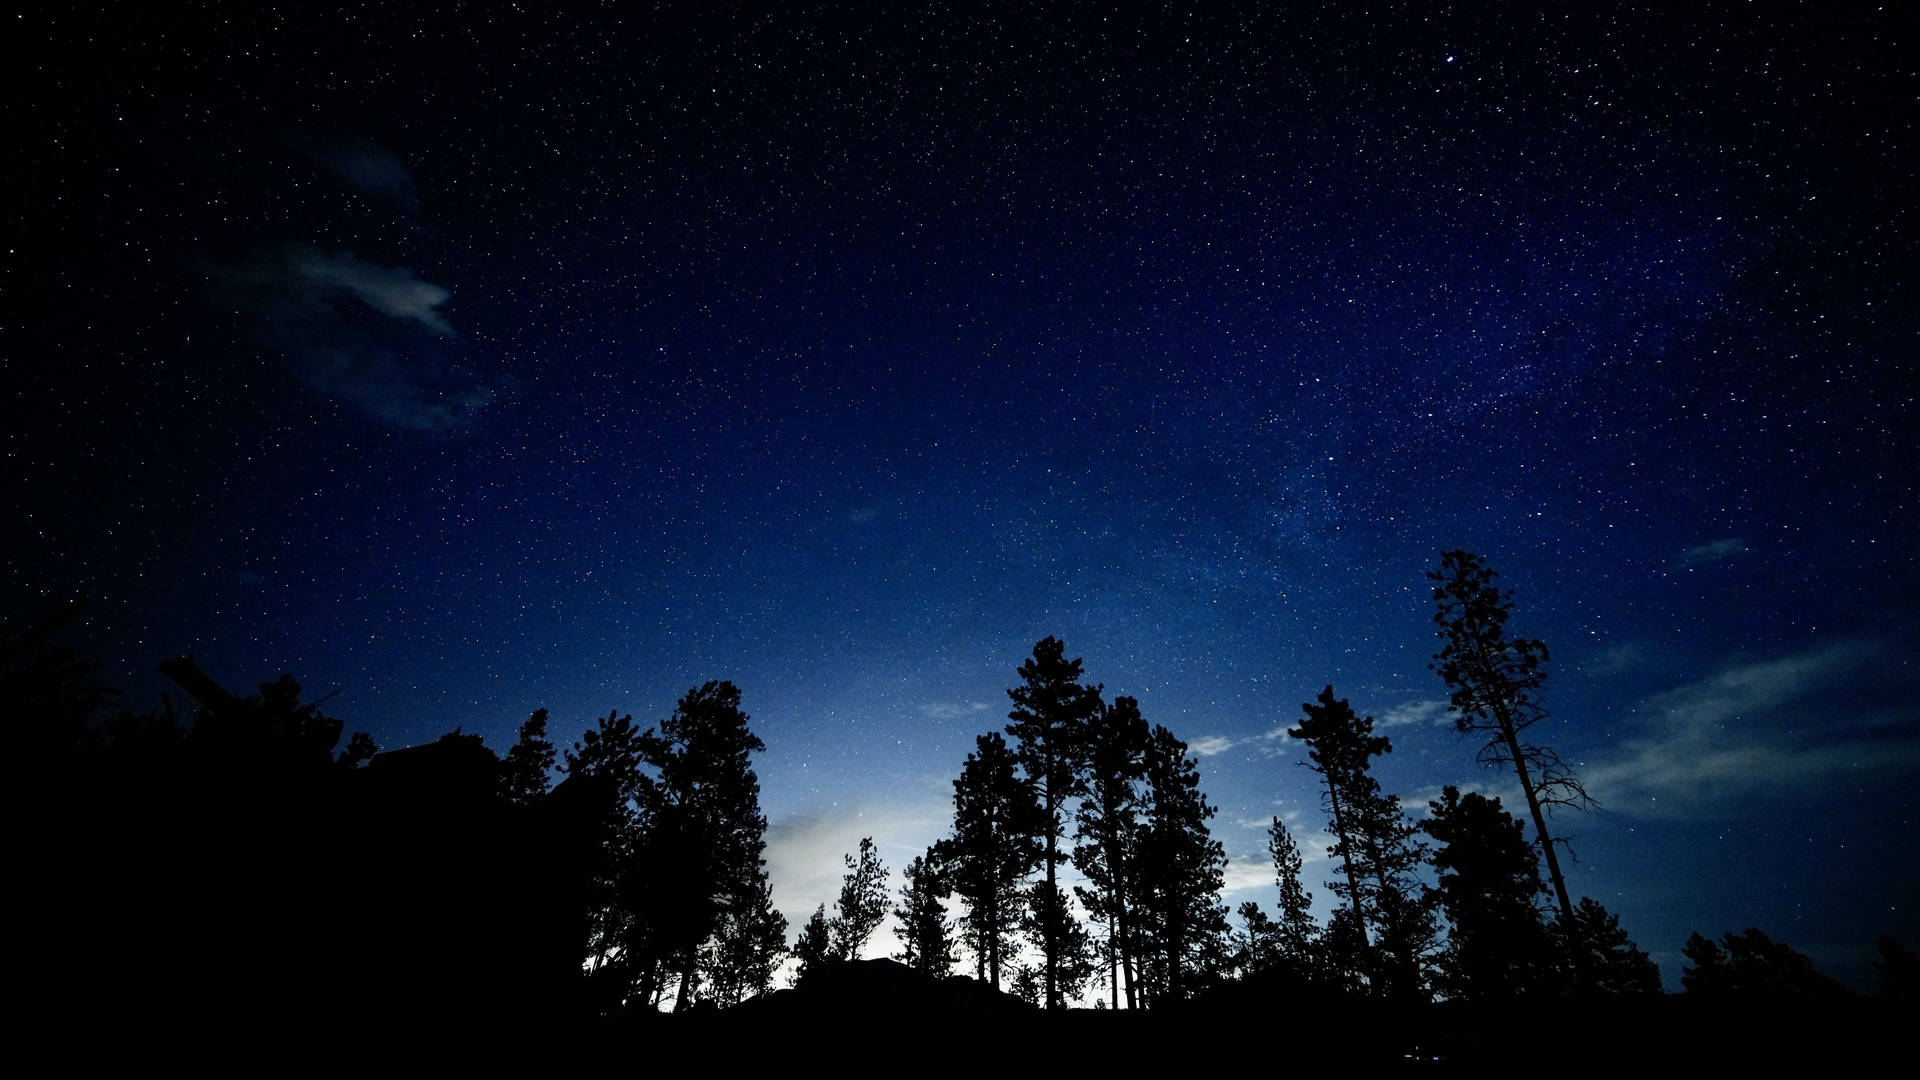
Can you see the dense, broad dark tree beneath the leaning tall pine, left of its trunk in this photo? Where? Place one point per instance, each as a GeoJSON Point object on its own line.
{"type": "Point", "coordinates": [1491, 893]}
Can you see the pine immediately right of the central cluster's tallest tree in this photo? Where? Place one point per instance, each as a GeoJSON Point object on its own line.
{"type": "Point", "coordinates": [1109, 833]}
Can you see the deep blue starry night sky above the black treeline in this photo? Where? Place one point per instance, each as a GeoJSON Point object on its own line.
{"type": "Point", "coordinates": [477, 358]}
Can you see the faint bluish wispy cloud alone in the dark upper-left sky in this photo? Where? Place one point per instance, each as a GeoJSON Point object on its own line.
{"type": "Point", "coordinates": [364, 333]}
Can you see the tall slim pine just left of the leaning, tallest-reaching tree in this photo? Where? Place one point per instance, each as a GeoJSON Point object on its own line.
{"type": "Point", "coordinates": [1374, 841]}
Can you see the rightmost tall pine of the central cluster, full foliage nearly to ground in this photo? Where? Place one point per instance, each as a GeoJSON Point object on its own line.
{"type": "Point", "coordinates": [1182, 875]}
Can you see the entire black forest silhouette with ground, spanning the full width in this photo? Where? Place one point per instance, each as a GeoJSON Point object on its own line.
{"type": "Point", "coordinates": [228, 864]}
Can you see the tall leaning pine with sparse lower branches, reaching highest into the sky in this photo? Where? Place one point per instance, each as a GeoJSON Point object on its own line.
{"type": "Point", "coordinates": [1497, 685]}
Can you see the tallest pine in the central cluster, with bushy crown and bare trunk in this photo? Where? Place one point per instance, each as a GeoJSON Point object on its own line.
{"type": "Point", "coordinates": [1047, 725]}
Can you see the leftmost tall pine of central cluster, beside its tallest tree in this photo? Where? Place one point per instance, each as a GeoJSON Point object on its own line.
{"type": "Point", "coordinates": [996, 845]}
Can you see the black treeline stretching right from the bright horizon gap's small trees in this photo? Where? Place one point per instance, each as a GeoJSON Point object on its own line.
{"type": "Point", "coordinates": [1460, 906]}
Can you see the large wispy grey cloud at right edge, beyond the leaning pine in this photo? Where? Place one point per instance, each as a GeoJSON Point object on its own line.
{"type": "Point", "coordinates": [1748, 731]}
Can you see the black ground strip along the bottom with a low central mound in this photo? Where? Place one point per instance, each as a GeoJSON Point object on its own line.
{"type": "Point", "coordinates": [878, 1019]}
